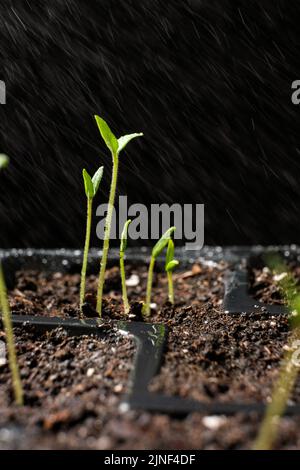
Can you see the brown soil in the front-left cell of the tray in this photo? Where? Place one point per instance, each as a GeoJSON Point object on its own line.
{"type": "Point", "coordinates": [61, 377]}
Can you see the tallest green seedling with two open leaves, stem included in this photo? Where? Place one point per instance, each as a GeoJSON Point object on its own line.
{"type": "Point", "coordinates": [115, 146]}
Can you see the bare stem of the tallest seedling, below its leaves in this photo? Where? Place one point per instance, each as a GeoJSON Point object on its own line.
{"type": "Point", "coordinates": [108, 221]}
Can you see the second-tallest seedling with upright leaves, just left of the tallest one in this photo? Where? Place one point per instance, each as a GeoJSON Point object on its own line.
{"type": "Point", "coordinates": [91, 186]}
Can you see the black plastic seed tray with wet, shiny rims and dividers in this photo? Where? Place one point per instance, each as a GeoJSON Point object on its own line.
{"type": "Point", "coordinates": [150, 339]}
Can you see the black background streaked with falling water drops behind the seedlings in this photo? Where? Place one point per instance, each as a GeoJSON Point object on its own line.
{"type": "Point", "coordinates": [209, 84]}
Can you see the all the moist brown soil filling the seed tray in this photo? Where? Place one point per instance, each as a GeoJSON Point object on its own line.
{"type": "Point", "coordinates": [73, 386]}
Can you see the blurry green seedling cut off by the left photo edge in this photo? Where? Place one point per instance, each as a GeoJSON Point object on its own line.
{"type": "Point", "coordinates": [6, 317]}
